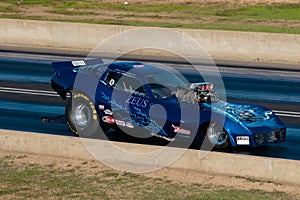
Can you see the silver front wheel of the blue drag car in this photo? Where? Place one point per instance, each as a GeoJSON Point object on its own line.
{"type": "Point", "coordinates": [217, 135]}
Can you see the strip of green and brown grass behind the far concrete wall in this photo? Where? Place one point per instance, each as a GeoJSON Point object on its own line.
{"type": "Point", "coordinates": [277, 18]}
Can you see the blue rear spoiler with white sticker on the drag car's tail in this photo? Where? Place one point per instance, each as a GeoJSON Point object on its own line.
{"type": "Point", "coordinates": [65, 65]}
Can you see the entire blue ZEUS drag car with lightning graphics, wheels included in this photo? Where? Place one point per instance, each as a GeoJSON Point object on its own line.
{"type": "Point", "coordinates": [142, 99]}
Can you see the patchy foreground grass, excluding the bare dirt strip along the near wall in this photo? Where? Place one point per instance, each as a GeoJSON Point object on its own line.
{"type": "Point", "coordinates": [23, 181]}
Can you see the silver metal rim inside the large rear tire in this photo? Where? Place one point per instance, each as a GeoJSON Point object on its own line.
{"type": "Point", "coordinates": [82, 115]}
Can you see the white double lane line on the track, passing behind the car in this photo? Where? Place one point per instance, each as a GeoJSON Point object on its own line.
{"type": "Point", "coordinates": [54, 94]}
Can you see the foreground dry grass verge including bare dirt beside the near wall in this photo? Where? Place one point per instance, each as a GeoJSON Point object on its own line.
{"type": "Point", "coordinates": [43, 177]}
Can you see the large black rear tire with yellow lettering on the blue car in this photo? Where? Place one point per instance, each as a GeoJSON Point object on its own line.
{"type": "Point", "coordinates": [82, 118]}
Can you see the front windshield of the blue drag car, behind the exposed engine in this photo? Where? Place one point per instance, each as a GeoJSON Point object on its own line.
{"type": "Point", "coordinates": [163, 84]}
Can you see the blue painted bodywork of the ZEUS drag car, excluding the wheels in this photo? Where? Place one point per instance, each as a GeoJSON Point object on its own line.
{"type": "Point", "coordinates": [113, 86]}
